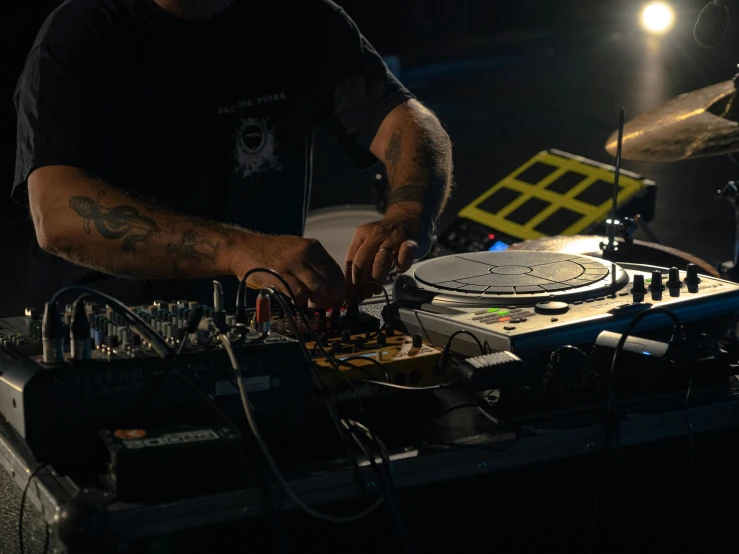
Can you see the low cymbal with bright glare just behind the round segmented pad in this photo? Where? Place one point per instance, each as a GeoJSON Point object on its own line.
{"type": "Point", "coordinates": [639, 252]}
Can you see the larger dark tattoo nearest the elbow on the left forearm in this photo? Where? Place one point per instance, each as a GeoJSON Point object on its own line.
{"type": "Point", "coordinates": [114, 223]}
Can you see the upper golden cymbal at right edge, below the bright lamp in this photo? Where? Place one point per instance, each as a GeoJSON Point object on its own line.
{"type": "Point", "coordinates": [683, 128]}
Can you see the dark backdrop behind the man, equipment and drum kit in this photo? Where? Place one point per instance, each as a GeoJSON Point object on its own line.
{"type": "Point", "coordinates": [507, 79]}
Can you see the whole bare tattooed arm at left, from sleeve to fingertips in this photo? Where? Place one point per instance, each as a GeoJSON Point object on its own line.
{"type": "Point", "coordinates": [89, 222]}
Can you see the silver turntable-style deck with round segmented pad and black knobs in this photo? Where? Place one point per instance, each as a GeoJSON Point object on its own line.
{"type": "Point", "coordinates": [528, 302]}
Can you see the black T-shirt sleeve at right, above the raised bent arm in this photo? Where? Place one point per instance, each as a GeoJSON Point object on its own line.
{"type": "Point", "coordinates": [361, 88]}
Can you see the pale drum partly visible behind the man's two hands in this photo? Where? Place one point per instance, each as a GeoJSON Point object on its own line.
{"type": "Point", "coordinates": [334, 227]}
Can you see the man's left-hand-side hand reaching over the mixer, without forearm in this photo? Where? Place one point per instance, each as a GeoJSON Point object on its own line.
{"type": "Point", "coordinates": [311, 272]}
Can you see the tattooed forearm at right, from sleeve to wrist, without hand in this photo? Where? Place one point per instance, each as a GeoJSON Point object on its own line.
{"type": "Point", "coordinates": [418, 158]}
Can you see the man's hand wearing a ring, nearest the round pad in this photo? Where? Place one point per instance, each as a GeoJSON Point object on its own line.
{"type": "Point", "coordinates": [377, 247]}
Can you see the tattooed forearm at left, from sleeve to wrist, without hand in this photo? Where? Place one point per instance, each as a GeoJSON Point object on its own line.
{"type": "Point", "coordinates": [91, 223]}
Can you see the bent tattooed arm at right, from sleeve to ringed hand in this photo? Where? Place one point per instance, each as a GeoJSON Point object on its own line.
{"type": "Point", "coordinates": [418, 157]}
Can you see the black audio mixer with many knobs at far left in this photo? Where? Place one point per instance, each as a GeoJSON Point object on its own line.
{"type": "Point", "coordinates": [123, 380]}
